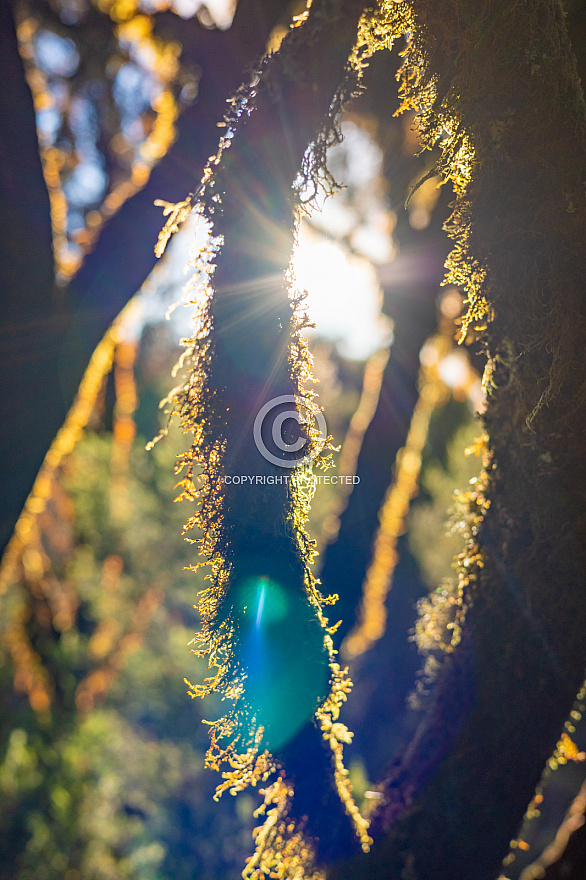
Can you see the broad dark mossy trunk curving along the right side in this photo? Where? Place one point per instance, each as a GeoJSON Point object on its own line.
{"type": "Point", "coordinates": [501, 699]}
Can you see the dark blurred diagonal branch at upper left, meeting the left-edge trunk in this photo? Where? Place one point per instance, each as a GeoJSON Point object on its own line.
{"type": "Point", "coordinates": [124, 254]}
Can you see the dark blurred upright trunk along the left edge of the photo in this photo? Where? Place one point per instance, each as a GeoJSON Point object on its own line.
{"type": "Point", "coordinates": [33, 311]}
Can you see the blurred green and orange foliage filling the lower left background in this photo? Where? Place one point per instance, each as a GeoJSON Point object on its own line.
{"type": "Point", "coordinates": [108, 783]}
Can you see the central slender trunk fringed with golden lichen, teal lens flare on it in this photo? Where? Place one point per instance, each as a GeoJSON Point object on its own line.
{"type": "Point", "coordinates": [263, 629]}
